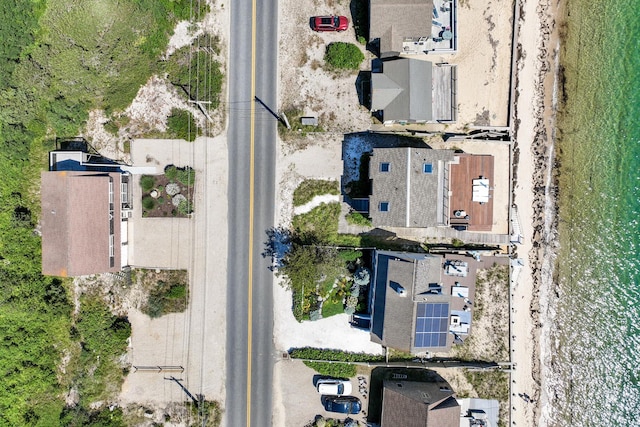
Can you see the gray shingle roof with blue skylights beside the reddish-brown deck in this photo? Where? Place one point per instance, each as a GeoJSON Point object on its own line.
{"type": "Point", "coordinates": [416, 199]}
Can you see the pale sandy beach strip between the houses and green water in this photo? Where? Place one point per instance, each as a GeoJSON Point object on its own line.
{"type": "Point", "coordinates": [534, 192]}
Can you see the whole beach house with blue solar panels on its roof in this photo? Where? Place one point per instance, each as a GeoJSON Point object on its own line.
{"type": "Point", "coordinates": [421, 302]}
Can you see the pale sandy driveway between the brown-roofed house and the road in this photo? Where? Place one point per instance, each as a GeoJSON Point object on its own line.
{"type": "Point", "coordinates": [191, 339]}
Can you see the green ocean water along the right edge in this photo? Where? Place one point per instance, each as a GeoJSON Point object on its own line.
{"type": "Point", "coordinates": [594, 379]}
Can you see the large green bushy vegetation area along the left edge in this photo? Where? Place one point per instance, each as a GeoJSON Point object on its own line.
{"type": "Point", "coordinates": [59, 58]}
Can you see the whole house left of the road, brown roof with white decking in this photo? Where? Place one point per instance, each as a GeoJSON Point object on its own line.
{"type": "Point", "coordinates": [86, 202]}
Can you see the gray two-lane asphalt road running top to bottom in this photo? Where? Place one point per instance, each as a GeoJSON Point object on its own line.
{"type": "Point", "coordinates": [252, 146]}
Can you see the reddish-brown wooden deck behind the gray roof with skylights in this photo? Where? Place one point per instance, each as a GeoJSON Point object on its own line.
{"type": "Point", "coordinates": [461, 189]}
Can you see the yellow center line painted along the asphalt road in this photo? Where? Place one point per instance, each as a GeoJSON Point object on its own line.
{"type": "Point", "coordinates": [252, 127]}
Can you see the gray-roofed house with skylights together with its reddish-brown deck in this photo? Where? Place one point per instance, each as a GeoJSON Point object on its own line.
{"type": "Point", "coordinates": [420, 187]}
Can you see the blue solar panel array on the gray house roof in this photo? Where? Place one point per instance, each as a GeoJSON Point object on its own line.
{"type": "Point", "coordinates": [432, 325]}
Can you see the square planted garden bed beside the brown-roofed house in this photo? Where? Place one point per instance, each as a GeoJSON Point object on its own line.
{"type": "Point", "coordinates": [168, 195]}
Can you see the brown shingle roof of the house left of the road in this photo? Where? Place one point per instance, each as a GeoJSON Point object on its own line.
{"type": "Point", "coordinates": [76, 223]}
